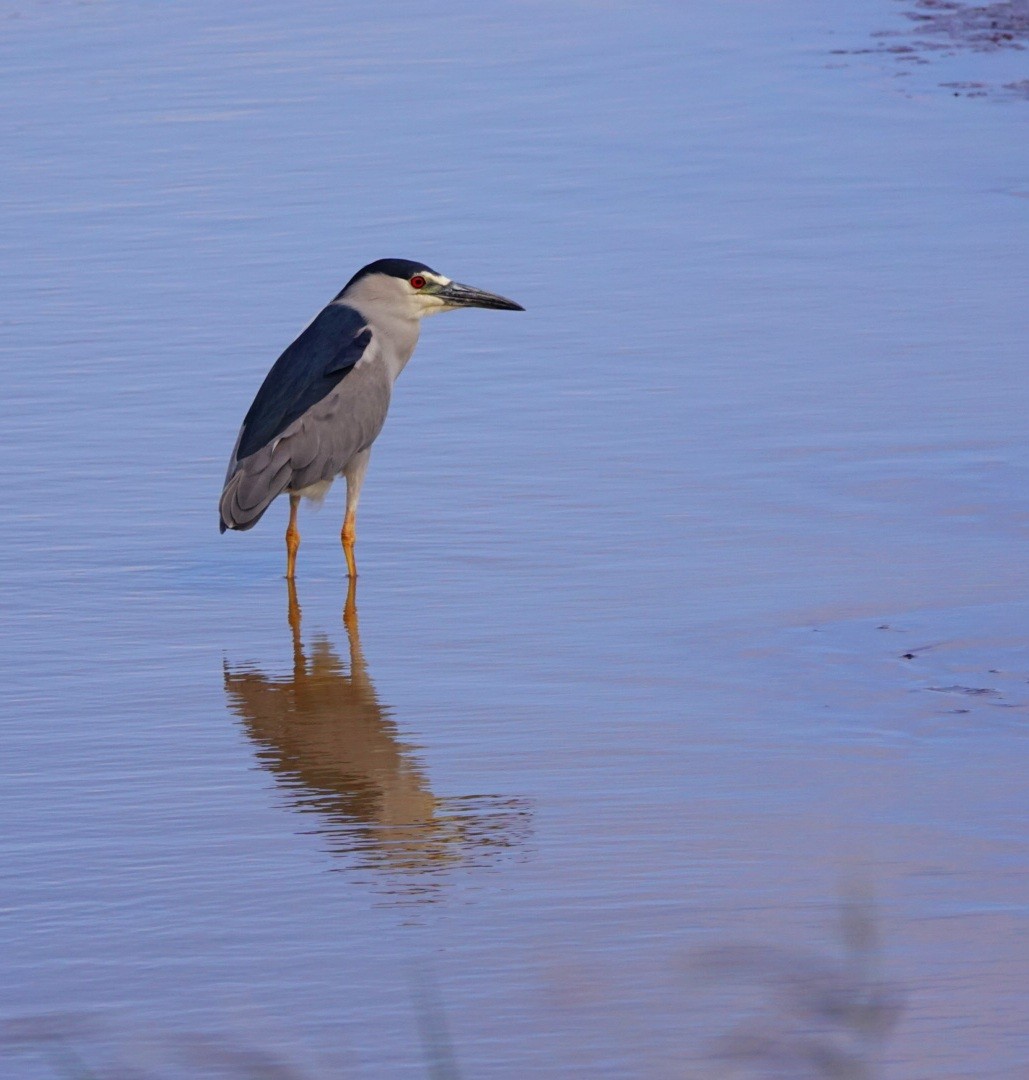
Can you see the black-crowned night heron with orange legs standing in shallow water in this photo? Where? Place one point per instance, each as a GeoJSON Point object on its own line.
{"type": "Point", "coordinates": [326, 400]}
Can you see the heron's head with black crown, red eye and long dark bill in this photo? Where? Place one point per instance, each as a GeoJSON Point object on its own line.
{"type": "Point", "coordinates": [409, 290]}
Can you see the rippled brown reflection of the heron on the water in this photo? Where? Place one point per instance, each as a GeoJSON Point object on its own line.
{"type": "Point", "coordinates": [324, 736]}
